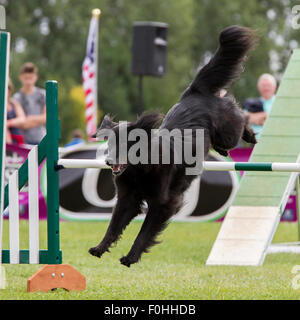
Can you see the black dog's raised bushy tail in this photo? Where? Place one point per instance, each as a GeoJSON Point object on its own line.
{"type": "Point", "coordinates": [226, 65]}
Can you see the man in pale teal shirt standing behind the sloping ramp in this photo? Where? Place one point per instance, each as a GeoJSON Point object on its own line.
{"type": "Point", "coordinates": [259, 108]}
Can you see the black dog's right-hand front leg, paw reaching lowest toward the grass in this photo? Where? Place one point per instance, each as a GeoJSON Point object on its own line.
{"type": "Point", "coordinates": [155, 222]}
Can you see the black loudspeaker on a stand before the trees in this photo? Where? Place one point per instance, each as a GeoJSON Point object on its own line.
{"type": "Point", "coordinates": [149, 48]}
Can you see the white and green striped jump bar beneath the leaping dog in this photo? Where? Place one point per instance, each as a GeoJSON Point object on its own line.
{"type": "Point", "coordinates": [207, 165]}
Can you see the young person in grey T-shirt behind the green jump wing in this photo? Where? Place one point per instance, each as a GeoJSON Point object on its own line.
{"type": "Point", "coordinates": [32, 99]}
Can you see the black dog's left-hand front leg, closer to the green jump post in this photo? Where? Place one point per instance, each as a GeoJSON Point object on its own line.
{"type": "Point", "coordinates": [126, 209]}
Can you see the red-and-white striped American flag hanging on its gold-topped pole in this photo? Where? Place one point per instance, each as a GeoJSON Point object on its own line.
{"type": "Point", "coordinates": [89, 76]}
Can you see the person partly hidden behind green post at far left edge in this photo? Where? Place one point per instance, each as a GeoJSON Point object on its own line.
{"type": "Point", "coordinates": [15, 118]}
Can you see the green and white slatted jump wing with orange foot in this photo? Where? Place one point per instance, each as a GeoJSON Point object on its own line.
{"type": "Point", "coordinates": [53, 274]}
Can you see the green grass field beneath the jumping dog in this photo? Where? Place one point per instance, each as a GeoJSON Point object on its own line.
{"type": "Point", "coordinates": [174, 269]}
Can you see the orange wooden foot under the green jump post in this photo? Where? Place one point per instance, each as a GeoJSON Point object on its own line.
{"type": "Point", "coordinates": [56, 276]}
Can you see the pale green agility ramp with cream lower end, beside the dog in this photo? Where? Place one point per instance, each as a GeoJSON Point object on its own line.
{"type": "Point", "coordinates": [252, 219]}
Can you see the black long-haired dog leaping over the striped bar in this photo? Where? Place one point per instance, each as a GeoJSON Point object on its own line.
{"type": "Point", "coordinates": [200, 107]}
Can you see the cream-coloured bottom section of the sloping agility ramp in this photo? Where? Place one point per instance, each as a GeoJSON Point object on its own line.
{"type": "Point", "coordinates": [243, 235]}
